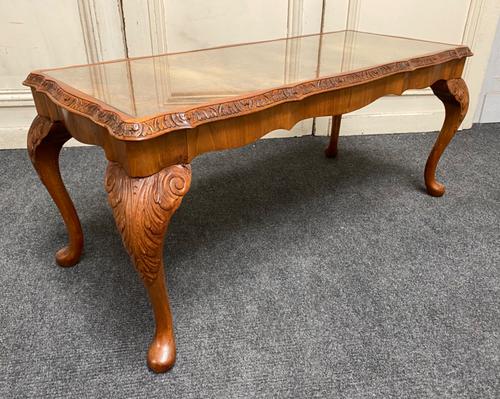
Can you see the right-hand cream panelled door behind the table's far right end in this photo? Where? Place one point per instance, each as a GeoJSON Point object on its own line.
{"type": "Point", "coordinates": [471, 22]}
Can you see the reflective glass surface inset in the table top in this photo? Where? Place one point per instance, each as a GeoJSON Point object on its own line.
{"type": "Point", "coordinates": [141, 87]}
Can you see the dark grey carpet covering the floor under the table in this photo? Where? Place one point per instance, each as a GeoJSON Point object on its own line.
{"type": "Point", "coordinates": [290, 275]}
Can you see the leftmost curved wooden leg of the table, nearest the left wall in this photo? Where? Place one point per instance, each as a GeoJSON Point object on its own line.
{"type": "Point", "coordinates": [45, 140]}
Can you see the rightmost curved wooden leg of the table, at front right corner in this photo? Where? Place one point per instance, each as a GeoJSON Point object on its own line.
{"type": "Point", "coordinates": [455, 97]}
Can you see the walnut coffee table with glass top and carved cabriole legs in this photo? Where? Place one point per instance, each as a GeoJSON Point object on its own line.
{"type": "Point", "coordinates": [153, 115]}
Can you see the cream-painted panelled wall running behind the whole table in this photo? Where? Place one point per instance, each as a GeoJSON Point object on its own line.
{"type": "Point", "coordinates": [37, 34]}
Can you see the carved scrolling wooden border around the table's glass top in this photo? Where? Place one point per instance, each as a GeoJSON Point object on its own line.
{"type": "Point", "coordinates": [121, 127]}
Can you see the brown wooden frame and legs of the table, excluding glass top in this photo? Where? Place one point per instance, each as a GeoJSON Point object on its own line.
{"type": "Point", "coordinates": [149, 172]}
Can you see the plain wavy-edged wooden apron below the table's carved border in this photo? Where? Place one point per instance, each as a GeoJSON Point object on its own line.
{"type": "Point", "coordinates": [182, 146]}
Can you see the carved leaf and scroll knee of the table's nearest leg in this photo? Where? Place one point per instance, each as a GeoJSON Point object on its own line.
{"type": "Point", "coordinates": [142, 208]}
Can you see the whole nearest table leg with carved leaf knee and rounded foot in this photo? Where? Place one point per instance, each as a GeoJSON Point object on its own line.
{"type": "Point", "coordinates": [142, 207]}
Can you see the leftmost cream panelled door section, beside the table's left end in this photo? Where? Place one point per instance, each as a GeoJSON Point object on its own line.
{"type": "Point", "coordinates": [41, 34]}
